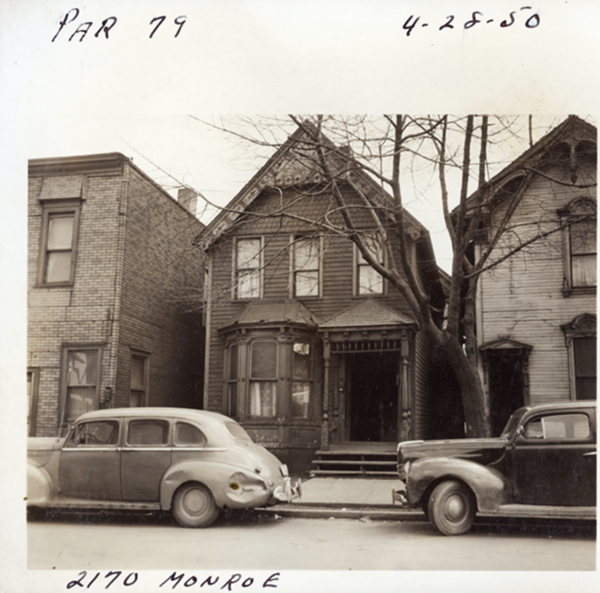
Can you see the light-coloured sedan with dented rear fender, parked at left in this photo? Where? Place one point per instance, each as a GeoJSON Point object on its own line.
{"type": "Point", "coordinates": [193, 462]}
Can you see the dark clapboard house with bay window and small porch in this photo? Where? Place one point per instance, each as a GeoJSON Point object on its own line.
{"type": "Point", "coordinates": [307, 346]}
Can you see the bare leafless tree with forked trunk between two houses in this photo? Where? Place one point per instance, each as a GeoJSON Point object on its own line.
{"type": "Point", "coordinates": [332, 150]}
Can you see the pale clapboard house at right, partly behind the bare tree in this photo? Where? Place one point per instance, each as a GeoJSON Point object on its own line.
{"type": "Point", "coordinates": [536, 311]}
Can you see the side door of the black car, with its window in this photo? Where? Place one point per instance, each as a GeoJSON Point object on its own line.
{"type": "Point", "coordinates": [554, 459]}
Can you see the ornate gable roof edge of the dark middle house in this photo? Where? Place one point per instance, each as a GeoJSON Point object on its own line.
{"type": "Point", "coordinates": [285, 168]}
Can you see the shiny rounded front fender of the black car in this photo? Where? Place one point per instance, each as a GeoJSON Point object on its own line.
{"type": "Point", "coordinates": [490, 487]}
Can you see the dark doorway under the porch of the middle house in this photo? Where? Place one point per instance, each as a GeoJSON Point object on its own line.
{"type": "Point", "coordinates": [373, 396]}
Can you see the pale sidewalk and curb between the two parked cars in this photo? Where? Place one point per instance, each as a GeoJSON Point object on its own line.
{"type": "Point", "coordinates": [346, 498]}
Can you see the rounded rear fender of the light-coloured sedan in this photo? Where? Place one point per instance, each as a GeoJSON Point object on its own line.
{"type": "Point", "coordinates": [214, 475]}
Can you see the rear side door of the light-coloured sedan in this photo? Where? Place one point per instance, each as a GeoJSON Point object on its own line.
{"type": "Point", "coordinates": [145, 456]}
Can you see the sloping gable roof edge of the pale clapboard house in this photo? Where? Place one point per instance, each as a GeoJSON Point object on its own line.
{"type": "Point", "coordinates": [536, 154]}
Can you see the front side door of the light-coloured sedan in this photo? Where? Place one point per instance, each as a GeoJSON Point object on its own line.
{"type": "Point", "coordinates": [90, 461]}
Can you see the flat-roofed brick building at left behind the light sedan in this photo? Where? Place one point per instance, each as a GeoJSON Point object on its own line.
{"type": "Point", "coordinates": [110, 259]}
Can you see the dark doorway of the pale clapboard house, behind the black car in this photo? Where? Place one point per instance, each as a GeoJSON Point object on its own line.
{"type": "Point", "coordinates": [506, 386]}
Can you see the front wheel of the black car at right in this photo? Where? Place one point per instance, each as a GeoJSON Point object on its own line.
{"type": "Point", "coordinates": [452, 508]}
